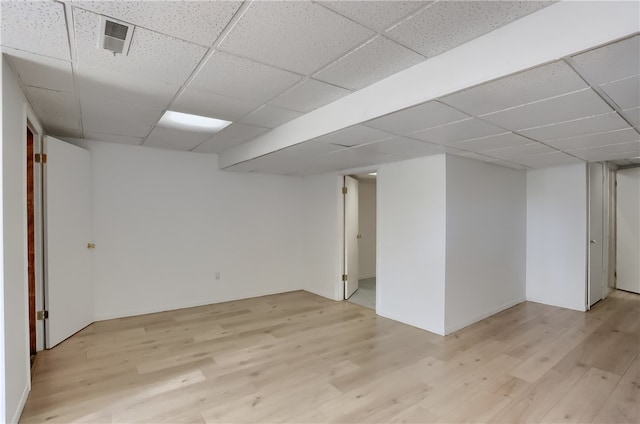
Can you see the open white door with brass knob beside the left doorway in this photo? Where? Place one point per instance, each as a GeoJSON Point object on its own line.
{"type": "Point", "coordinates": [68, 232]}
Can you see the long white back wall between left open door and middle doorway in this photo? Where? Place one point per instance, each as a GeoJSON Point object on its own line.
{"type": "Point", "coordinates": [166, 222]}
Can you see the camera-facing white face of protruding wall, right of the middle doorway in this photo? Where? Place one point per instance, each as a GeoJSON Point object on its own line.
{"type": "Point", "coordinates": [411, 242]}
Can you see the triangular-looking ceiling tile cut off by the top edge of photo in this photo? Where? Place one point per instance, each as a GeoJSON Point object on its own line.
{"type": "Point", "coordinates": [378, 15]}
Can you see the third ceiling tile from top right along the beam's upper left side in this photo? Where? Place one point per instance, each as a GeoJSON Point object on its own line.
{"type": "Point", "coordinates": [309, 95]}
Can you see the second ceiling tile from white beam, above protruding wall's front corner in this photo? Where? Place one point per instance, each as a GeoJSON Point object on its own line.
{"type": "Point", "coordinates": [458, 131]}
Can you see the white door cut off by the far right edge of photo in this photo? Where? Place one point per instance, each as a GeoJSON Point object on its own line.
{"type": "Point", "coordinates": [628, 230]}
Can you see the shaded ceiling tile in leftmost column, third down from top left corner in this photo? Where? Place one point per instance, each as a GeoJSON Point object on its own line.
{"type": "Point", "coordinates": [55, 108]}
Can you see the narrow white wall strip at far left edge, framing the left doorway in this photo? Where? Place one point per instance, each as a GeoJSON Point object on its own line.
{"type": "Point", "coordinates": [16, 384]}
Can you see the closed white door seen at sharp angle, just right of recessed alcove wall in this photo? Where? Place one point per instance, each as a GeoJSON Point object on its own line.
{"type": "Point", "coordinates": [596, 268]}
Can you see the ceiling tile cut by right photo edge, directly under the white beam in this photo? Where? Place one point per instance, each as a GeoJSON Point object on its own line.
{"type": "Point", "coordinates": [611, 62]}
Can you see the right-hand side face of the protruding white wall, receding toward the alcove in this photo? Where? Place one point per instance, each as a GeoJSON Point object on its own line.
{"type": "Point", "coordinates": [485, 240]}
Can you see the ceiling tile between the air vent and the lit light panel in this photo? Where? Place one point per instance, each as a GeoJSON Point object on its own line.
{"type": "Point", "coordinates": [134, 89]}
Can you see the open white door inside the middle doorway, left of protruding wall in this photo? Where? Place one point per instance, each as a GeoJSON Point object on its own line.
{"type": "Point", "coordinates": [351, 236]}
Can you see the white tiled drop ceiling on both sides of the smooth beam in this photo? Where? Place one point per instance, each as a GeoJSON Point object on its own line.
{"type": "Point", "coordinates": [263, 64]}
